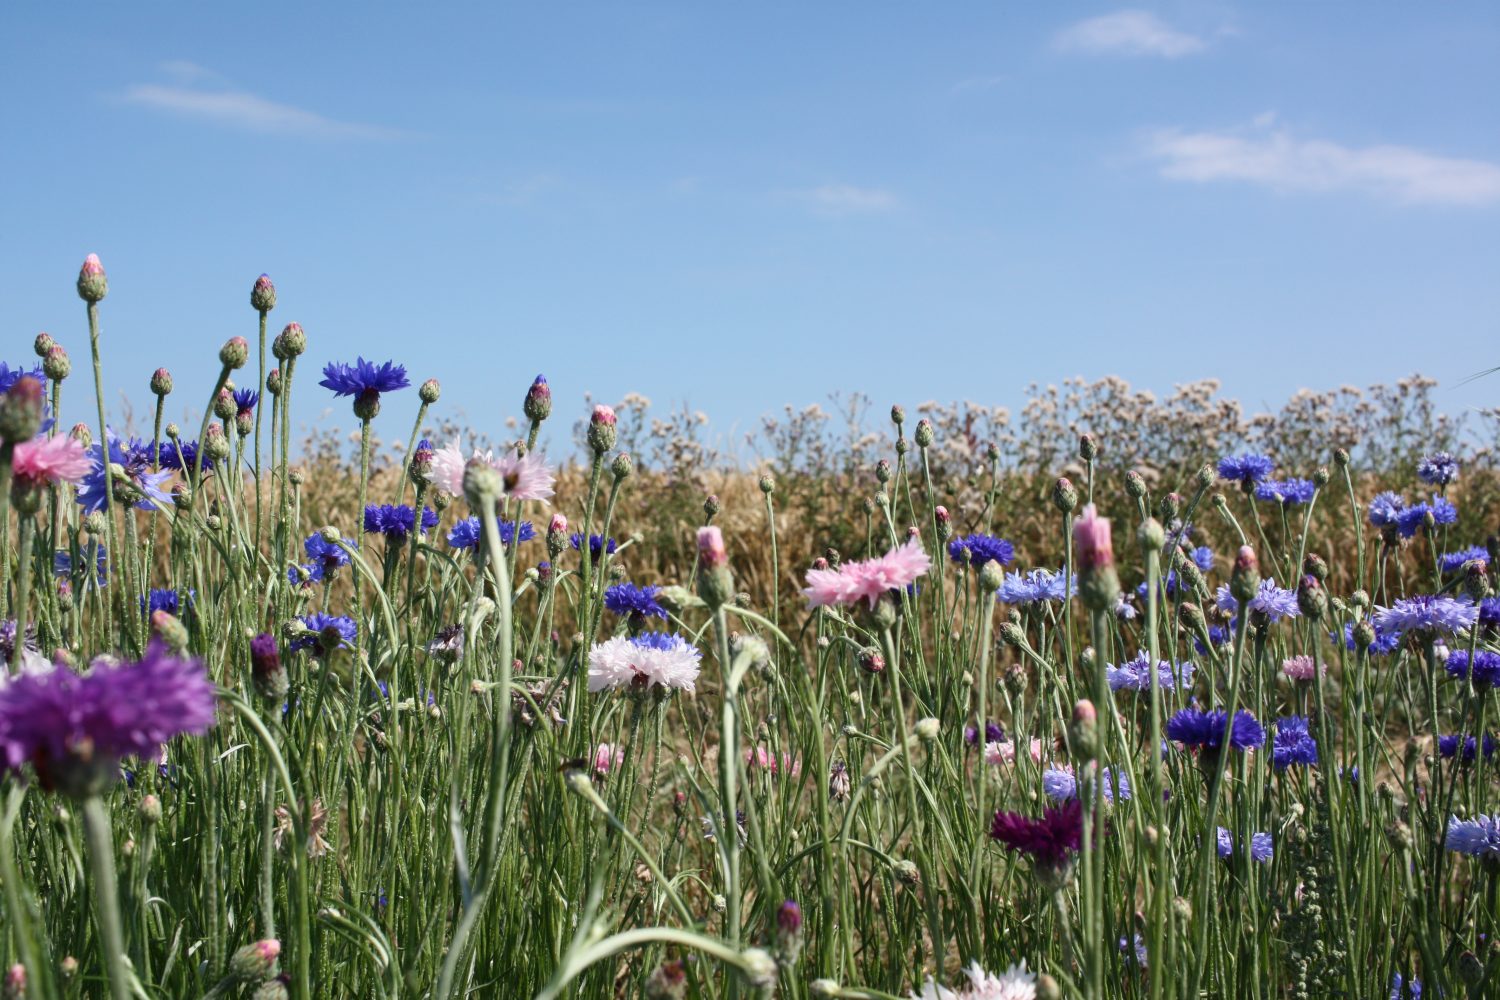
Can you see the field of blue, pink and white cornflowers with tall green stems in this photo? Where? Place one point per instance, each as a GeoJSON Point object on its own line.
{"type": "Point", "coordinates": [1123, 698]}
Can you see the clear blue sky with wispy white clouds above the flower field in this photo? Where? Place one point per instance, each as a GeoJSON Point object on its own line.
{"type": "Point", "coordinates": [745, 206]}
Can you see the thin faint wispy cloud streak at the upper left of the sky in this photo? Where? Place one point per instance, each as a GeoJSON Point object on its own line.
{"type": "Point", "coordinates": [200, 94]}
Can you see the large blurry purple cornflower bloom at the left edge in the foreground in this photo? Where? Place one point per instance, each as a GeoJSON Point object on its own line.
{"type": "Point", "coordinates": [76, 729]}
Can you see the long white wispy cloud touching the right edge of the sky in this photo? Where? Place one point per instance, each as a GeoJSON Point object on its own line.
{"type": "Point", "coordinates": [1274, 158]}
